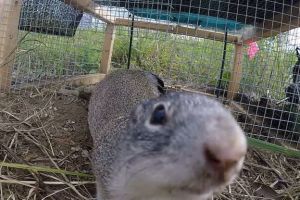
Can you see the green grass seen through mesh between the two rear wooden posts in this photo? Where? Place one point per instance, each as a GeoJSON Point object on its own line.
{"type": "Point", "coordinates": [198, 62]}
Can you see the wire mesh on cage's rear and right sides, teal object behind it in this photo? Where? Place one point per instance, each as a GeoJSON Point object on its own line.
{"type": "Point", "coordinates": [208, 57]}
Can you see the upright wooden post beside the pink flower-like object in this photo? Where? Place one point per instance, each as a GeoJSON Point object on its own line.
{"type": "Point", "coordinates": [236, 73]}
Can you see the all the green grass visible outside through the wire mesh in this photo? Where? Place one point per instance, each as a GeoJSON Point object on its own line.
{"type": "Point", "coordinates": [197, 61]}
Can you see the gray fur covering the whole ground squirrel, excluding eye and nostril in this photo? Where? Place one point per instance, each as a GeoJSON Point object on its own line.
{"type": "Point", "coordinates": [136, 160]}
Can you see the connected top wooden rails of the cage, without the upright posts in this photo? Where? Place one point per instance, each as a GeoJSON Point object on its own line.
{"type": "Point", "coordinates": [281, 22]}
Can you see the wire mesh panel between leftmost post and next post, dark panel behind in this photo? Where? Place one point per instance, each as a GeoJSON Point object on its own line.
{"type": "Point", "coordinates": [57, 41]}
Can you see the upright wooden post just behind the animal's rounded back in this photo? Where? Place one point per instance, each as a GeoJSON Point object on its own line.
{"type": "Point", "coordinates": [107, 48]}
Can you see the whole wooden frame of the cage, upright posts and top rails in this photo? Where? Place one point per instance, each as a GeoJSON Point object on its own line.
{"type": "Point", "coordinates": [283, 22]}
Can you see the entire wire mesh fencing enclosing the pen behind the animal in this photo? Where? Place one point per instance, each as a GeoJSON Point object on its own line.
{"type": "Point", "coordinates": [192, 45]}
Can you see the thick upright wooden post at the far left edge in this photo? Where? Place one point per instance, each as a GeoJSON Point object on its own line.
{"type": "Point", "coordinates": [9, 21]}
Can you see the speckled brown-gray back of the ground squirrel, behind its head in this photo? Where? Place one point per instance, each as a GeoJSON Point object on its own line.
{"type": "Point", "coordinates": [110, 105]}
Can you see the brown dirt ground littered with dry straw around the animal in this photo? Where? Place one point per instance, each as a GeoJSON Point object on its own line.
{"type": "Point", "coordinates": [46, 128]}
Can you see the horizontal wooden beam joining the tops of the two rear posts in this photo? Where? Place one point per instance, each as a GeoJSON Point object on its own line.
{"type": "Point", "coordinates": [177, 29]}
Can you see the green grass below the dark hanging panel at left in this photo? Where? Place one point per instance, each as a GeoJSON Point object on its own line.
{"type": "Point", "coordinates": [39, 52]}
